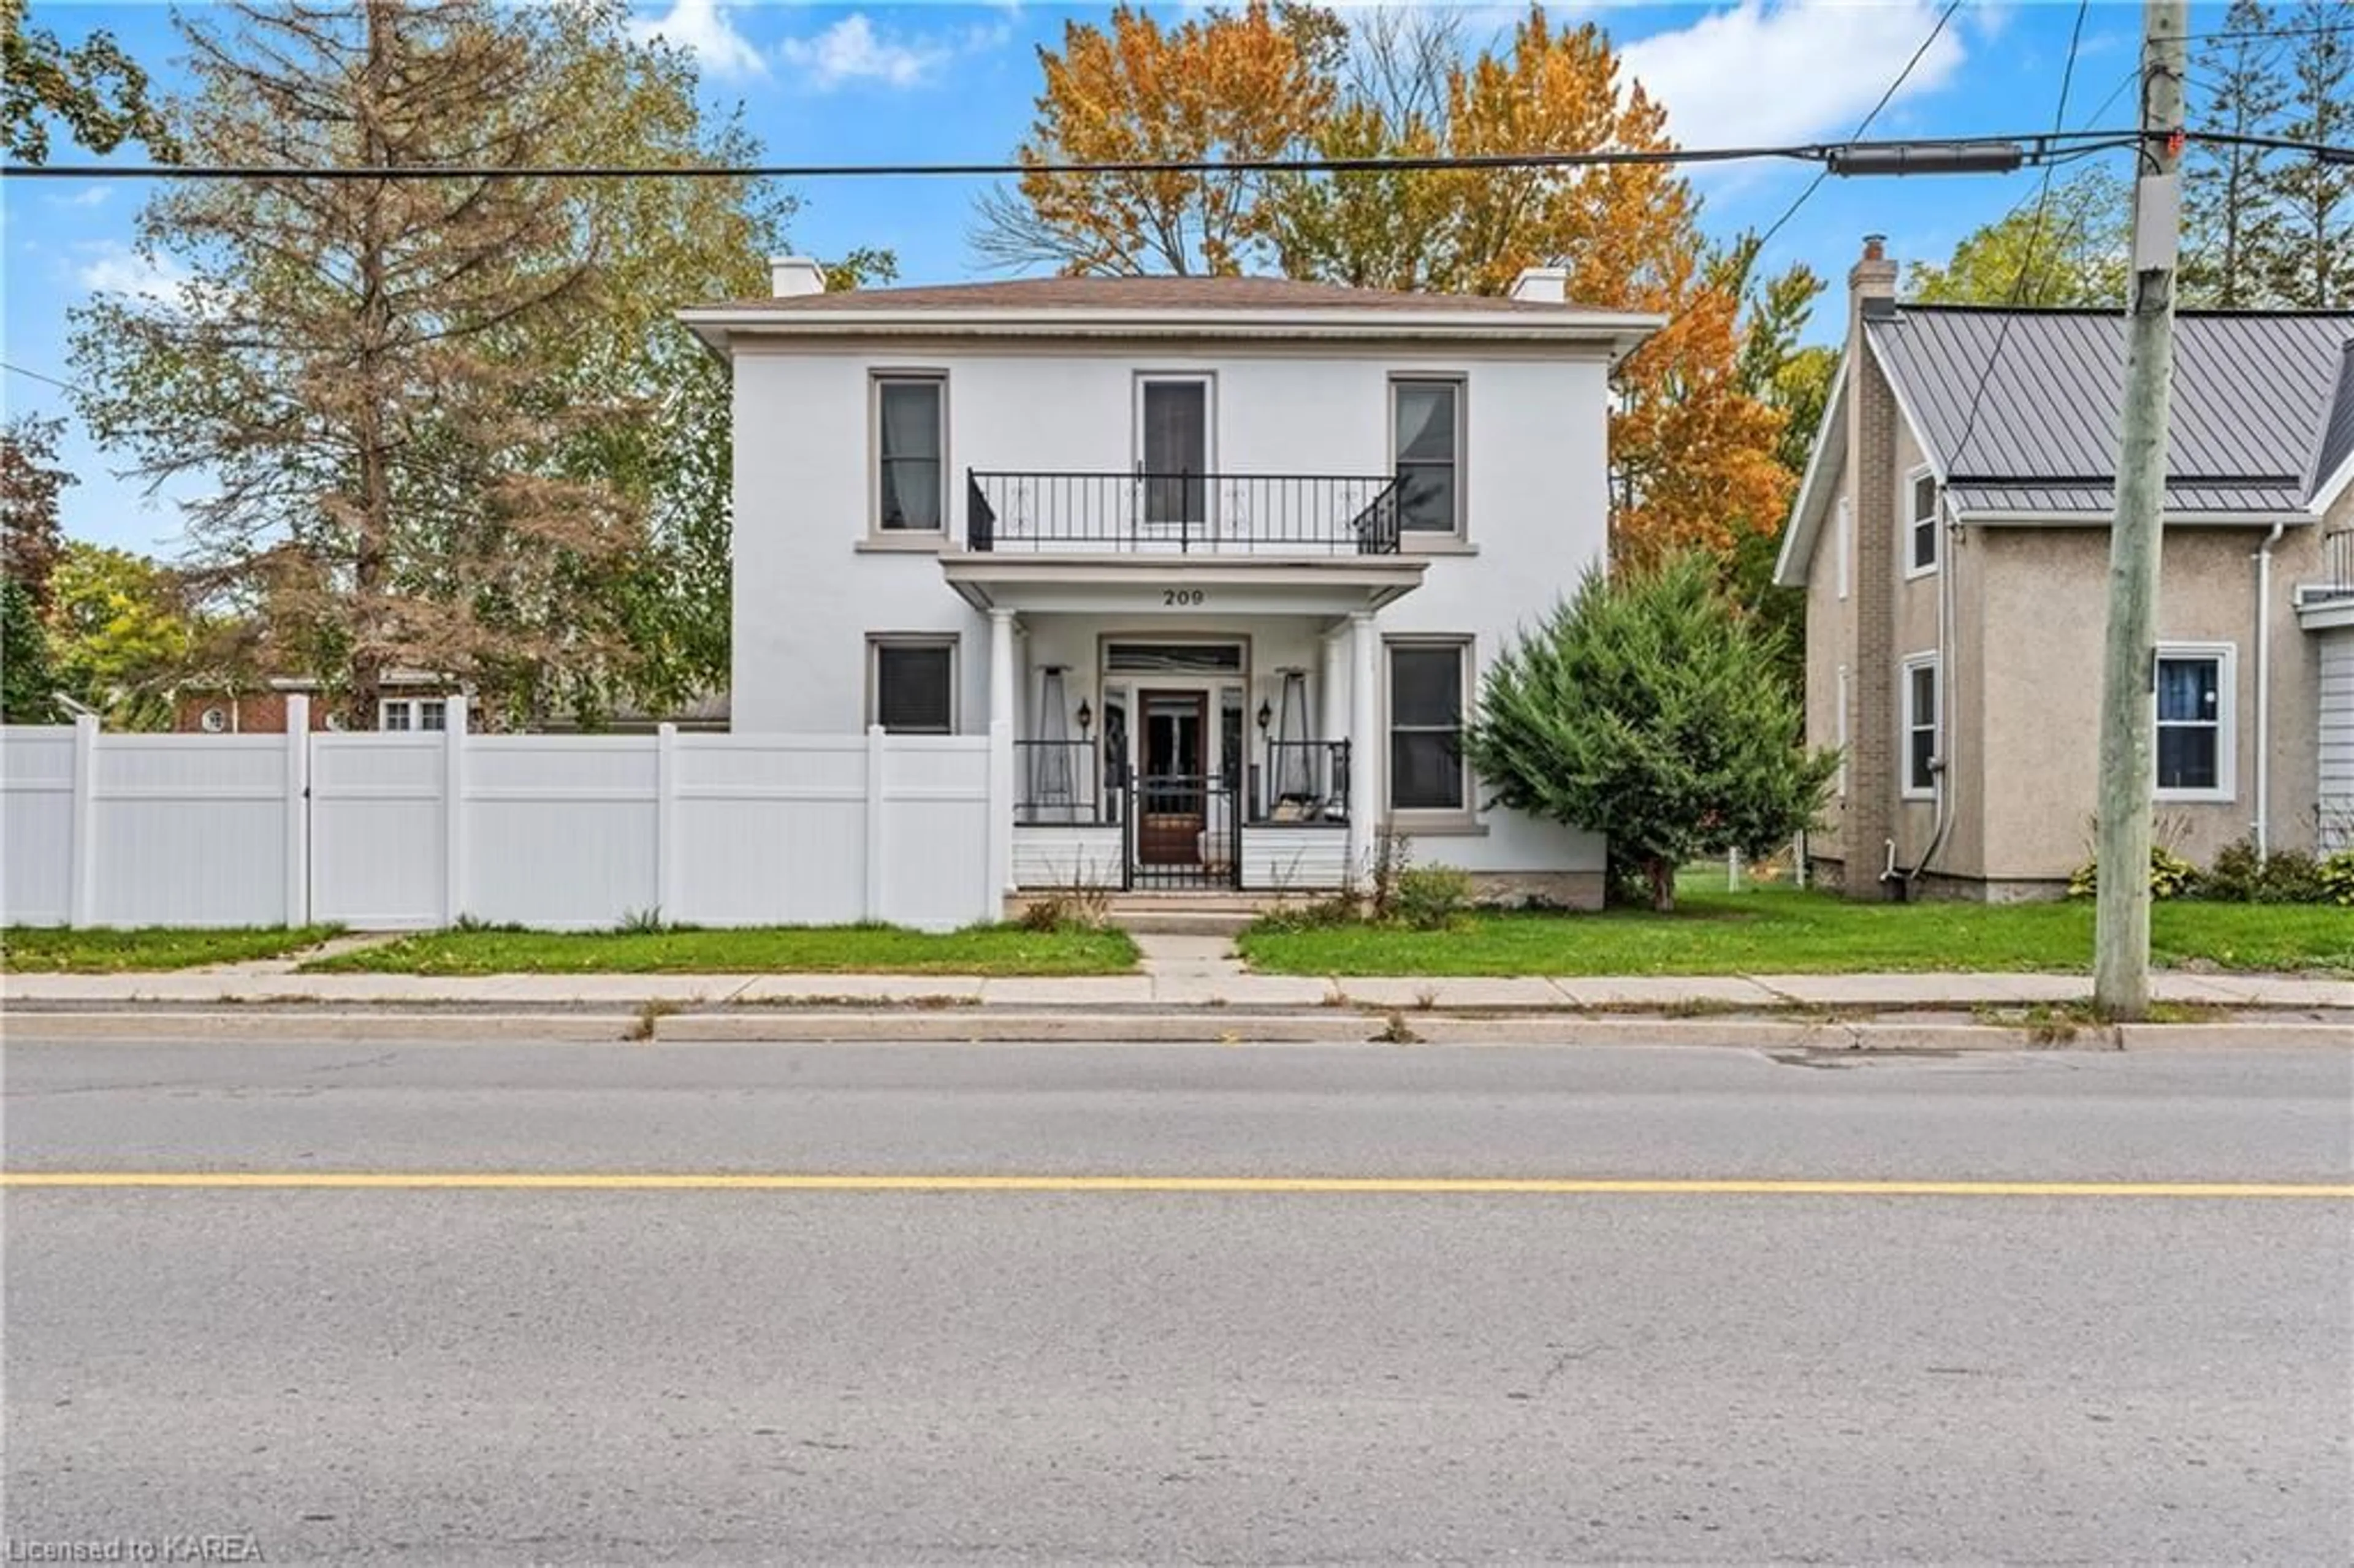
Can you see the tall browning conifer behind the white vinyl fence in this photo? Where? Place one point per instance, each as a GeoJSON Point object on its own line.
{"type": "Point", "coordinates": [343, 364]}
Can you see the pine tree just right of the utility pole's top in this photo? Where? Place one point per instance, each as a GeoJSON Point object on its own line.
{"type": "Point", "coordinates": [2233, 201]}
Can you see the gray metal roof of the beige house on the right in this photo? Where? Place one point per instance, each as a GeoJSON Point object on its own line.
{"type": "Point", "coordinates": [2256, 397]}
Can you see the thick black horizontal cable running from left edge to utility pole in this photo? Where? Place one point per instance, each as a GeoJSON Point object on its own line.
{"type": "Point", "coordinates": [1807, 152]}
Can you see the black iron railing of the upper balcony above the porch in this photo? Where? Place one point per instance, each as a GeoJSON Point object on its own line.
{"type": "Point", "coordinates": [1244, 514]}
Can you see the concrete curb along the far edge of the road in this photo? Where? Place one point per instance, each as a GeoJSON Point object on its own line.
{"type": "Point", "coordinates": [1190, 1028]}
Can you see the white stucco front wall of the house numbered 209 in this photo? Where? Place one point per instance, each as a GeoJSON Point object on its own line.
{"type": "Point", "coordinates": [806, 597]}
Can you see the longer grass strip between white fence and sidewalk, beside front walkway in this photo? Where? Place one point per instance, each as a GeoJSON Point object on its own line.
{"type": "Point", "coordinates": [785, 950]}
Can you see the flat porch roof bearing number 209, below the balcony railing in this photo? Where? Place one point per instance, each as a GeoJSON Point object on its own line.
{"type": "Point", "coordinates": [1122, 583]}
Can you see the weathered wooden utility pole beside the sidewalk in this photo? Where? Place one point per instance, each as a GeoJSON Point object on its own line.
{"type": "Point", "coordinates": [2132, 660]}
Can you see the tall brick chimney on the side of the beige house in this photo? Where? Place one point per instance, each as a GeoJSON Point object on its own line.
{"type": "Point", "coordinates": [1873, 496]}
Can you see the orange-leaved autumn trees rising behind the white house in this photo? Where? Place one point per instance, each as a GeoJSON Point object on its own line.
{"type": "Point", "coordinates": [1694, 439]}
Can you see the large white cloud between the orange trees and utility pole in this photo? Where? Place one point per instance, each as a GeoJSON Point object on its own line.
{"type": "Point", "coordinates": [1790, 69]}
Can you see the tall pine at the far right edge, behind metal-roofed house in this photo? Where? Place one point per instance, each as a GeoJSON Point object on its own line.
{"type": "Point", "coordinates": [2318, 253]}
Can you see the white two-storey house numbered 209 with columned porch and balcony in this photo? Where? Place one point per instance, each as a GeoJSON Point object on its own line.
{"type": "Point", "coordinates": [1225, 557]}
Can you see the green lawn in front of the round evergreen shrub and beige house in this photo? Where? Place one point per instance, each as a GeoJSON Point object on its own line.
{"type": "Point", "coordinates": [1781, 931]}
